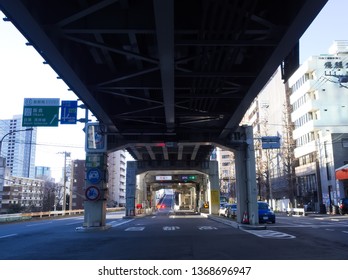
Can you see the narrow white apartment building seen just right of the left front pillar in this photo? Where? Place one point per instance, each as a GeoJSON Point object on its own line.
{"type": "Point", "coordinates": [117, 178]}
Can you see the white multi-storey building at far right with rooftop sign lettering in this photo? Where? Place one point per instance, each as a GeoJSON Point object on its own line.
{"type": "Point", "coordinates": [319, 100]}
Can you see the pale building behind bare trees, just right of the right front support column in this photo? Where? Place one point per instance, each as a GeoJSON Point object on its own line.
{"type": "Point", "coordinates": [268, 115]}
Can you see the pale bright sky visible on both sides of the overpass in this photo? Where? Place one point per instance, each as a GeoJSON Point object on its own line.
{"type": "Point", "coordinates": [23, 74]}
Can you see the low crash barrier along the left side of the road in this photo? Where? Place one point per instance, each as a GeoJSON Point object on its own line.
{"type": "Point", "coordinates": [27, 216]}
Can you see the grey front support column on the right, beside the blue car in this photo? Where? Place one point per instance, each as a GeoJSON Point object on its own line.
{"type": "Point", "coordinates": [246, 179]}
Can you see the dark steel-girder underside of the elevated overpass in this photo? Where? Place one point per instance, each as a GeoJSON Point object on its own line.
{"type": "Point", "coordinates": [169, 80]}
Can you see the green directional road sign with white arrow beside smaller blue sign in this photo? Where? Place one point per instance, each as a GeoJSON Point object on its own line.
{"type": "Point", "coordinates": [40, 112]}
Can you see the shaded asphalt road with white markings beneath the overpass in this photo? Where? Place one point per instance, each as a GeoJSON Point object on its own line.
{"type": "Point", "coordinates": [164, 236]}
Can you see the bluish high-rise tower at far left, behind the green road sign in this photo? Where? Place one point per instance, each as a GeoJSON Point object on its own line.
{"type": "Point", "coordinates": [18, 147]}
